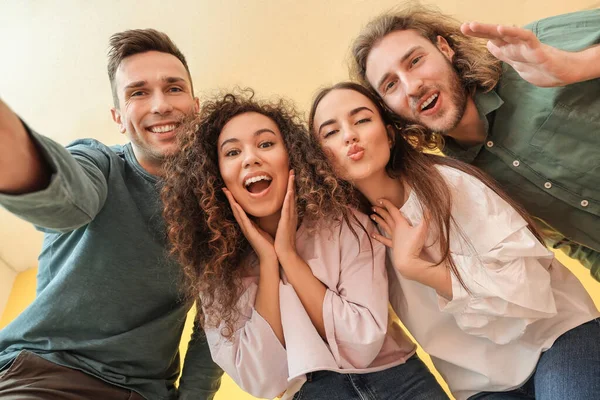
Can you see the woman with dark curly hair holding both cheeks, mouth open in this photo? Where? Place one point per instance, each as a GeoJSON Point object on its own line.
{"type": "Point", "coordinates": [293, 292]}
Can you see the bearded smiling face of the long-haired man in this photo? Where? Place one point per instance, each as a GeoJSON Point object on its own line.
{"type": "Point", "coordinates": [416, 80]}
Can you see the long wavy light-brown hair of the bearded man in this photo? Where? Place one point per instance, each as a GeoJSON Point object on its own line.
{"type": "Point", "coordinates": [476, 67]}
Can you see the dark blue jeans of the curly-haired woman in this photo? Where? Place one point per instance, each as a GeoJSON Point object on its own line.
{"type": "Point", "coordinates": [409, 381]}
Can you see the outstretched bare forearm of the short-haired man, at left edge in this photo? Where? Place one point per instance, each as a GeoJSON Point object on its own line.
{"type": "Point", "coordinates": [22, 167]}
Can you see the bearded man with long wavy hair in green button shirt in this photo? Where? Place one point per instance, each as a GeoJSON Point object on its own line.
{"type": "Point", "coordinates": [525, 110]}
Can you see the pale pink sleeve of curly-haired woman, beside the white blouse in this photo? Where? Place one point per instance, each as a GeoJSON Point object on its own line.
{"type": "Point", "coordinates": [356, 313]}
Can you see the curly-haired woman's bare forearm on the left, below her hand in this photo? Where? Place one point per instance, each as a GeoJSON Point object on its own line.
{"type": "Point", "coordinates": [267, 297]}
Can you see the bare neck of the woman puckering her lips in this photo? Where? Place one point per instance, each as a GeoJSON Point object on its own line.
{"type": "Point", "coordinates": [380, 186]}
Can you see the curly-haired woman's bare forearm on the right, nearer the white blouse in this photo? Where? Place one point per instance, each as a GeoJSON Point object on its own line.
{"type": "Point", "coordinates": [310, 290]}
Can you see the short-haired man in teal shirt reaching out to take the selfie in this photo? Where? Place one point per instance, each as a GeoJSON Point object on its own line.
{"type": "Point", "coordinates": [109, 312]}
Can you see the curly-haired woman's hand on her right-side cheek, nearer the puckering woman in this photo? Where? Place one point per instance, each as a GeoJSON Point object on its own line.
{"type": "Point", "coordinates": [285, 239]}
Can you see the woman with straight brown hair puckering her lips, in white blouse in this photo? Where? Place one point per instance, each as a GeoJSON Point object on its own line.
{"type": "Point", "coordinates": [472, 280]}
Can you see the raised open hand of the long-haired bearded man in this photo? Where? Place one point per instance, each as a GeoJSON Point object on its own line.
{"type": "Point", "coordinates": [537, 63]}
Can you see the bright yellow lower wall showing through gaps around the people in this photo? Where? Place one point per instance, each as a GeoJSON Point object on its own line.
{"type": "Point", "coordinates": [23, 293]}
